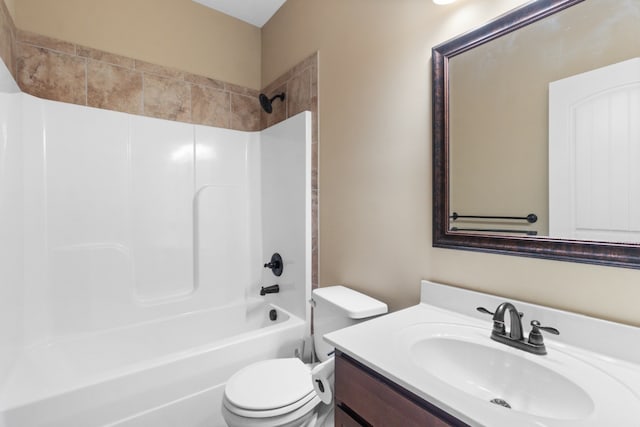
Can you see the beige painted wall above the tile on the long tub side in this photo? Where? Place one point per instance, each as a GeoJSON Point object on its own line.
{"type": "Point", "coordinates": [179, 34]}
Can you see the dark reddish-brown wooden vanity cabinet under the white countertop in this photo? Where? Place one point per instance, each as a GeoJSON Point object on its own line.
{"type": "Point", "coordinates": [365, 398]}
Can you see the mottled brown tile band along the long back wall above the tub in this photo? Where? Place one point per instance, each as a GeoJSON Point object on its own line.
{"type": "Point", "coordinates": [62, 71]}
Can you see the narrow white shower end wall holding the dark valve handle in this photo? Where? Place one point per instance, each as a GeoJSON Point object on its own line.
{"type": "Point", "coordinates": [286, 209]}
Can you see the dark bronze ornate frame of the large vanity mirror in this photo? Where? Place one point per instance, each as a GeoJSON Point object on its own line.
{"type": "Point", "coordinates": [592, 252]}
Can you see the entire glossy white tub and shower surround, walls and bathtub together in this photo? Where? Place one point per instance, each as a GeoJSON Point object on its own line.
{"type": "Point", "coordinates": [118, 220]}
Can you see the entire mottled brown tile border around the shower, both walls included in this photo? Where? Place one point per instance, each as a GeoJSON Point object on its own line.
{"type": "Point", "coordinates": [62, 71]}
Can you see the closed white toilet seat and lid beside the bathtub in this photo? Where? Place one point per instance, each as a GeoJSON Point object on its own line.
{"type": "Point", "coordinates": [270, 388]}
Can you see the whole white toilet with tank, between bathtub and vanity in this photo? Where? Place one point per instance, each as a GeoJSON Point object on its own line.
{"type": "Point", "coordinates": [280, 392]}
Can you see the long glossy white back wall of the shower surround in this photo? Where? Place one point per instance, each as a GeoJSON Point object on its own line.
{"type": "Point", "coordinates": [112, 205]}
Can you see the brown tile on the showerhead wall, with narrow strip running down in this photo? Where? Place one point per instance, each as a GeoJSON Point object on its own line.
{"type": "Point", "coordinates": [300, 85]}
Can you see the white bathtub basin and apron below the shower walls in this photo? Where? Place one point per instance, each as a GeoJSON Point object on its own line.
{"type": "Point", "coordinates": [162, 373]}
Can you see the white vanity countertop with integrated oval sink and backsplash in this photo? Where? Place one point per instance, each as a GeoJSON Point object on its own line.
{"type": "Point", "coordinates": [602, 358]}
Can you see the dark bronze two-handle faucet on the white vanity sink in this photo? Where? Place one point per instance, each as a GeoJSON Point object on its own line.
{"type": "Point", "coordinates": [514, 338]}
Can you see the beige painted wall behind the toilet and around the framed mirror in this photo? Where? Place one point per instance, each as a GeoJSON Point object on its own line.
{"type": "Point", "coordinates": [375, 158]}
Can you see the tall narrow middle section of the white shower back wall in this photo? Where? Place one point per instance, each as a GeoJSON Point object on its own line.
{"type": "Point", "coordinates": [162, 168]}
